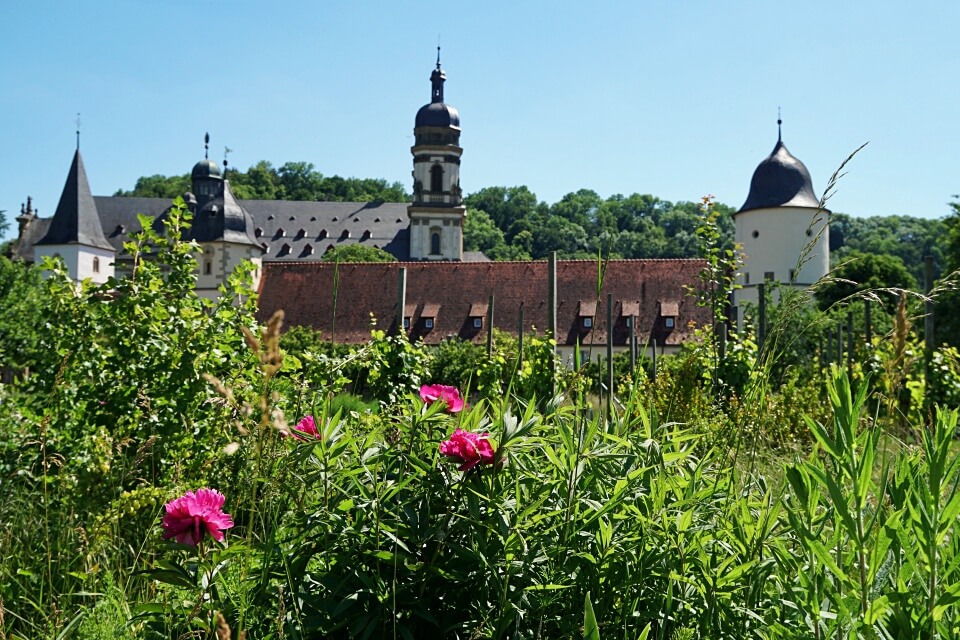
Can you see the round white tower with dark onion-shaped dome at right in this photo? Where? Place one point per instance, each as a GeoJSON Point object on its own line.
{"type": "Point", "coordinates": [781, 228]}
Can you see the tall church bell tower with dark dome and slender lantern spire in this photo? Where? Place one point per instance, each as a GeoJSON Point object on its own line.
{"type": "Point", "coordinates": [437, 212]}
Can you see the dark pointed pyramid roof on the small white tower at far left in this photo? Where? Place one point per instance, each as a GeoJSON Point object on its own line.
{"type": "Point", "coordinates": [76, 220]}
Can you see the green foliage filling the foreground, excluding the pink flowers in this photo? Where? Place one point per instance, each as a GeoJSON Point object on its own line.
{"type": "Point", "coordinates": [647, 521]}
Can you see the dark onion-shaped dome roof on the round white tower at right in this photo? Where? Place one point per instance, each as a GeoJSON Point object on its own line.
{"type": "Point", "coordinates": [780, 181]}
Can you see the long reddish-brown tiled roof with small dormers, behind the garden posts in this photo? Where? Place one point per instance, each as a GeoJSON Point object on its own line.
{"type": "Point", "coordinates": [454, 290]}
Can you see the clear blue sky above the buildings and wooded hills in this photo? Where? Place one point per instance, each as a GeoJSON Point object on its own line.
{"type": "Point", "coordinates": [677, 99]}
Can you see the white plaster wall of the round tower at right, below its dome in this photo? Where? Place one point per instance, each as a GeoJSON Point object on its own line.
{"type": "Point", "coordinates": [783, 235]}
